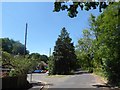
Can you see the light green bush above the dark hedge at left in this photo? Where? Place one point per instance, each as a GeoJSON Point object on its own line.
{"type": "Point", "coordinates": [22, 65]}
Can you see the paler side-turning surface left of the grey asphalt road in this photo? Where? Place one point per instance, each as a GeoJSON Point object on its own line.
{"type": "Point", "coordinates": [42, 80]}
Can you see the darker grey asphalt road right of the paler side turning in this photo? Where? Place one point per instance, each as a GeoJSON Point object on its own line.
{"type": "Point", "coordinates": [77, 81]}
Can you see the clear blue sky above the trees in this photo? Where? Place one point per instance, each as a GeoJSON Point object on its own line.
{"type": "Point", "coordinates": [44, 25]}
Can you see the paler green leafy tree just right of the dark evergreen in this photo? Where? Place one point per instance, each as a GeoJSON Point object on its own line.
{"type": "Point", "coordinates": [84, 51]}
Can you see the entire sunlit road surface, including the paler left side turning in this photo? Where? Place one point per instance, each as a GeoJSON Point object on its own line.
{"type": "Point", "coordinates": [81, 80]}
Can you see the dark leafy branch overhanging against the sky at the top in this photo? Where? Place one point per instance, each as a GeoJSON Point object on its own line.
{"type": "Point", "coordinates": [72, 8]}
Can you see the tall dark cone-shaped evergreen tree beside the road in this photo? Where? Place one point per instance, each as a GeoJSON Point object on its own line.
{"type": "Point", "coordinates": [64, 58]}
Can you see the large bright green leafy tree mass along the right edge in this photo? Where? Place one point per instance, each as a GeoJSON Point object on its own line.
{"type": "Point", "coordinates": [111, 34]}
